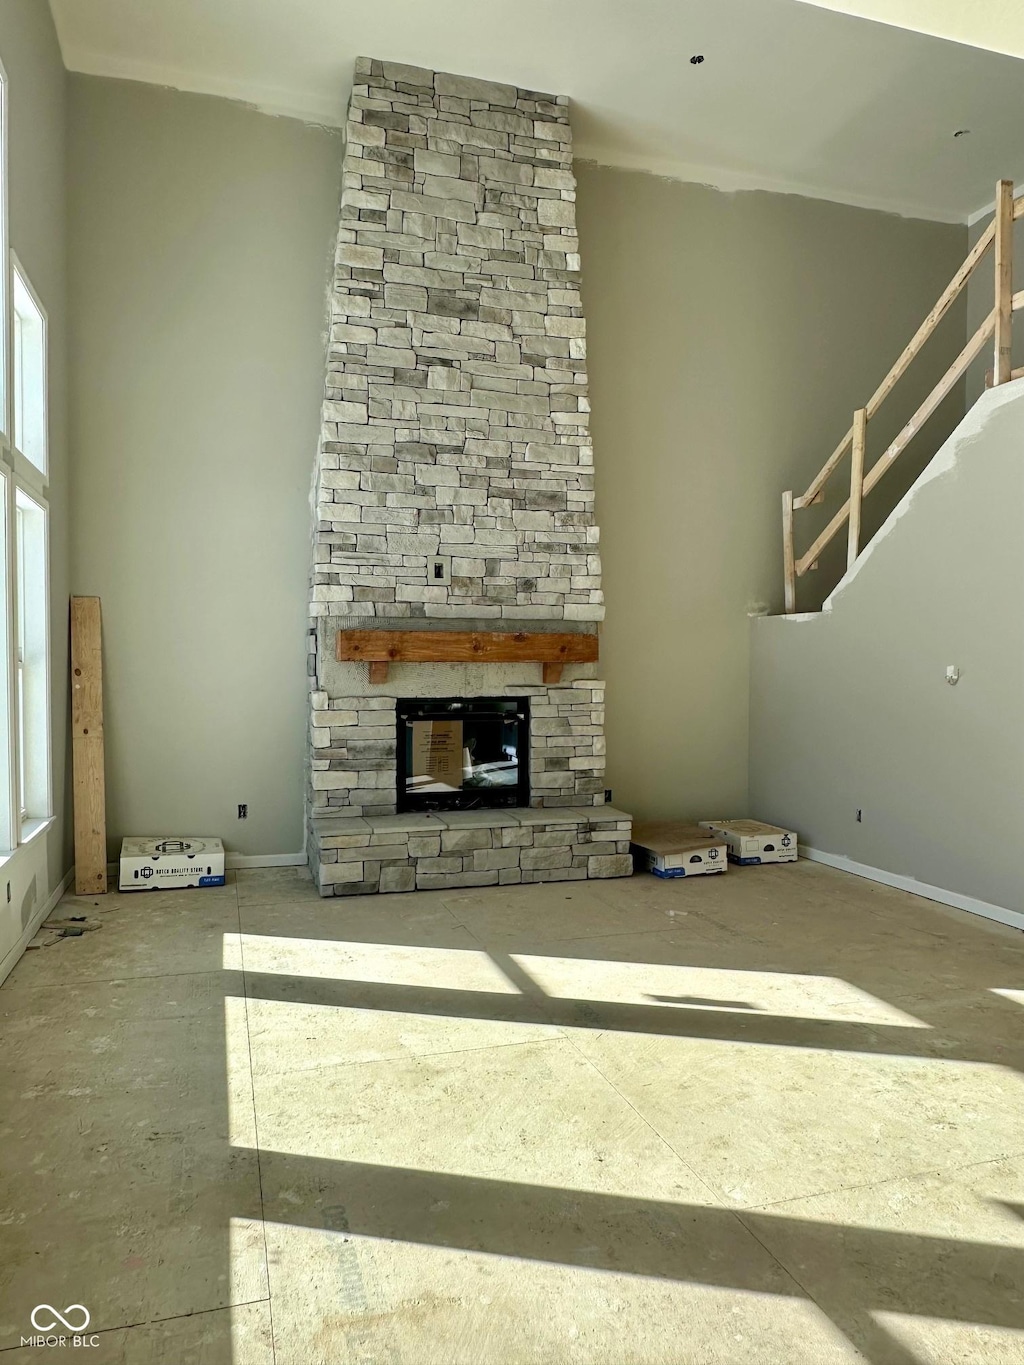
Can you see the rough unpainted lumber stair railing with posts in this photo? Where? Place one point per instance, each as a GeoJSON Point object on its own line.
{"type": "Point", "coordinates": [997, 327]}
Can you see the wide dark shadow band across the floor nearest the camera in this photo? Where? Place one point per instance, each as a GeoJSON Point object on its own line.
{"type": "Point", "coordinates": [850, 1273]}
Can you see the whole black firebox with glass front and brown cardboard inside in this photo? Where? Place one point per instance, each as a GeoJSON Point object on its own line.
{"type": "Point", "coordinates": [464, 754]}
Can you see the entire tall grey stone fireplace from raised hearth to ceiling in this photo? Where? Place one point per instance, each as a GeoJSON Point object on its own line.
{"type": "Point", "coordinates": [454, 488]}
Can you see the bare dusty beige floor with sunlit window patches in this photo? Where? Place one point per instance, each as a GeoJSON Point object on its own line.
{"type": "Point", "coordinates": [767, 1119]}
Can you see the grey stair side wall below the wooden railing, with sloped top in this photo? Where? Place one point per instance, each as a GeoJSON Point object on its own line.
{"type": "Point", "coordinates": [851, 709]}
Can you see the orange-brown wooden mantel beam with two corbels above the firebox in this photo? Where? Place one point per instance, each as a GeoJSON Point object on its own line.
{"type": "Point", "coordinates": [380, 649]}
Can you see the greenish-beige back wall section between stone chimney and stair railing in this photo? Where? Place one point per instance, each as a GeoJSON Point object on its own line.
{"type": "Point", "coordinates": [730, 341]}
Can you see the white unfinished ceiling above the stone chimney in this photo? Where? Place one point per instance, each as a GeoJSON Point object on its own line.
{"type": "Point", "coordinates": [790, 96]}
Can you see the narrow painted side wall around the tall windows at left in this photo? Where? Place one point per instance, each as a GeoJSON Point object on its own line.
{"type": "Point", "coordinates": [38, 219]}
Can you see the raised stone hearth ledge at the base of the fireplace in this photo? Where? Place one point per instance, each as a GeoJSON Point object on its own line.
{"type": "Point", "coordinates": [360, 857]}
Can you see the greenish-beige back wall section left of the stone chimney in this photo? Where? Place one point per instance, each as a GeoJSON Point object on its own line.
{"type": "Point", "coordinates": [201, 244]}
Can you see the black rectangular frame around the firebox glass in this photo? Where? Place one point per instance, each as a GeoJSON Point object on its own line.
{"type": "Point", "coordinates": [458, 709]}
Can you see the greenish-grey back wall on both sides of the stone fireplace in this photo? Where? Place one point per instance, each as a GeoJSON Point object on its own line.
{"type": "Point", "coordinates": [731, 338]}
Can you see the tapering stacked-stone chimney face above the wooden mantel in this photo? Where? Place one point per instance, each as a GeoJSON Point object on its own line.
{"type": "Point", "coordinates": [457, 413]}
